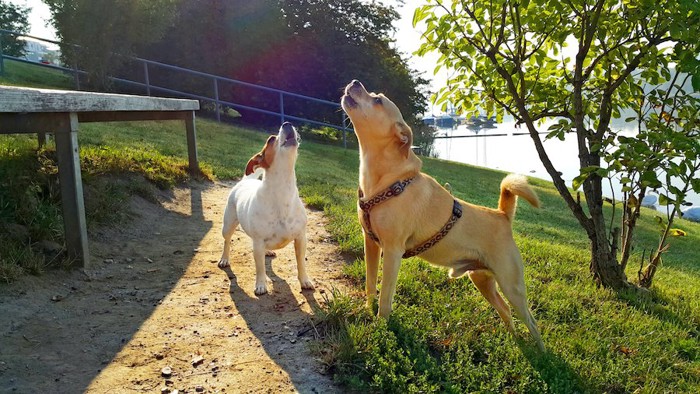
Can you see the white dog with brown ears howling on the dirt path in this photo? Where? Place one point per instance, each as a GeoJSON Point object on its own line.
{"type": "Point", "coordinates": [269, 210]}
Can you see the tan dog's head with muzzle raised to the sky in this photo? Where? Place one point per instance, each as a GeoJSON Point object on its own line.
{"type": "Point", "coordinates": [376, 119]}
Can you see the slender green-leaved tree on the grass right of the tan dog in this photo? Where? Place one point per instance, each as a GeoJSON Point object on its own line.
{"type": "Point", "coordinates": [511, 57]}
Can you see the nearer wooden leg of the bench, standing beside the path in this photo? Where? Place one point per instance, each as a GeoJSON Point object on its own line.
{"type": "Point", "coordinates": [72, 190]}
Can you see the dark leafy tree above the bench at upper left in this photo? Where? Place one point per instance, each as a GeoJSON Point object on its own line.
{"type": "Point", "coordinates": [95, 35]}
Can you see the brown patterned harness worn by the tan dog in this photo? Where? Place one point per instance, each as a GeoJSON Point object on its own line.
{"type": "Point", "coordinates": [393, 191]}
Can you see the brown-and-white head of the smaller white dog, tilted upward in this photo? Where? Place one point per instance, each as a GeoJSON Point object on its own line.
{"type": "Point", "coordinates": [279, 150]}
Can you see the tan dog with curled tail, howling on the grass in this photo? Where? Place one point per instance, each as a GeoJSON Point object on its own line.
{"type": "Point", "coordinates": [480, 242]}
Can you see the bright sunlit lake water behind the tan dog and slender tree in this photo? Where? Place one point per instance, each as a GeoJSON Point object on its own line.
{"type": "Point", "coordinates": [505, 147]}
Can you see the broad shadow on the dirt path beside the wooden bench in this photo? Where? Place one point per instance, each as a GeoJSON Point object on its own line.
{"type": "Point", "coordinates": [60, 330]}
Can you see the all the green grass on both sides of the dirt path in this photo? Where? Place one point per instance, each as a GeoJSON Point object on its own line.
{"type": "Point", "coordinates": [443, 336]}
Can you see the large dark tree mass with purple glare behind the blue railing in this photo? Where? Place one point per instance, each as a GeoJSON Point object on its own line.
{"type": "Point", "coordinates": [310, 47]}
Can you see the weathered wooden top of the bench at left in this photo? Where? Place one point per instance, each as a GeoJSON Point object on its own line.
{"type": "Point", "coordinates": [19, 99]}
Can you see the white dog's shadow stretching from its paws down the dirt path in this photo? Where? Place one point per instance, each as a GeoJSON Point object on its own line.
{"type": "Point", "coordinates": [282, 326]}
